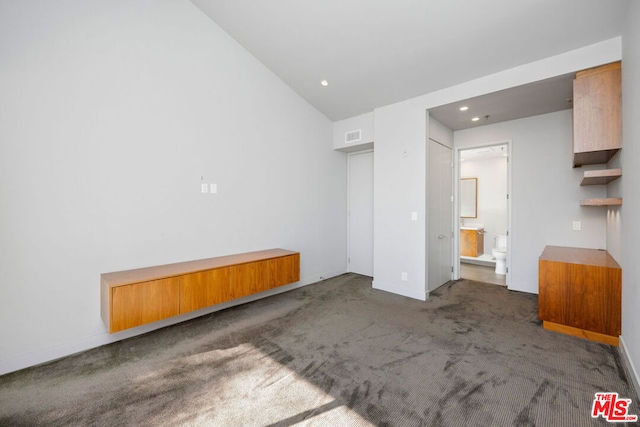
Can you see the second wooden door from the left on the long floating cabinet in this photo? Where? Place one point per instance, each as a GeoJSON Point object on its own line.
{"type": "Point", "coordinates": [200, 290]}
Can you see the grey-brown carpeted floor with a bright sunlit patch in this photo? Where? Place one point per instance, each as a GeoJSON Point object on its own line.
{"type": "Point", "coordinates": [336, 353]}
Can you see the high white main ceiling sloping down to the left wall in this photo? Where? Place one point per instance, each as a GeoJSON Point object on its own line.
{"type": "Point", "coordinates": [377, 52]}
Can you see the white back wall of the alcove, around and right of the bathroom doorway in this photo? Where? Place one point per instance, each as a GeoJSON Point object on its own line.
{"type": "Point", "coordinates": [546, 191]}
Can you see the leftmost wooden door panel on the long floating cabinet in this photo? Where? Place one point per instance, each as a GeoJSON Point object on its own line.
{"type": "Point", "coordinates": [141, 303]}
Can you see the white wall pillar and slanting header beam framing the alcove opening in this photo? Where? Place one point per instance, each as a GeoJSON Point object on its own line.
{"type": "Point", "coordinates": [400, 167]}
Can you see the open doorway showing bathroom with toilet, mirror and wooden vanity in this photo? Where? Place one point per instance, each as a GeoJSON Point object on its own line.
{"type": "Point", "coordinates": [483, 213]}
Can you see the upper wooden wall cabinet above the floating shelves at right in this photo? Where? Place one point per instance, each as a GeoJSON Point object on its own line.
{"type": "Point", "coordinates": [597, 114]}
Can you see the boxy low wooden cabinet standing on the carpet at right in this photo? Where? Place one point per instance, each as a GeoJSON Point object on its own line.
{"type": "Point", "coordinates": [579, 293]}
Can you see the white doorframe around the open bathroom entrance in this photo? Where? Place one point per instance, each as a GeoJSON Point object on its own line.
{"type": "Point", "coordinates": [456, 201]}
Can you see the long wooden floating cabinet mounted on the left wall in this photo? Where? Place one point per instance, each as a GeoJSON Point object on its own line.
{"type": "Point", "coordinates": [135, 297]}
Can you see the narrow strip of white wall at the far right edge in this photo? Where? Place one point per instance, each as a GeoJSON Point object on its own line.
{"type": "Point", "coordinates": [629, 232]}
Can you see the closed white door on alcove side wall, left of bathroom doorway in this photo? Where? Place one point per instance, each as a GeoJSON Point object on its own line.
{"type": "Point", "coordinates": [440, 234]}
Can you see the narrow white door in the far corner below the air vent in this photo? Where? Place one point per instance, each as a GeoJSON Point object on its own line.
{"type": "Point", "coordinates": [360, 214]}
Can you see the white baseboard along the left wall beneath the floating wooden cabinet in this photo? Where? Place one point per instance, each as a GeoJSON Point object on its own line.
{"type": "Point", "coordinates": [39, 357]}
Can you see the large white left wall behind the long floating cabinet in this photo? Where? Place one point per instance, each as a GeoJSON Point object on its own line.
{"type": "Point", "coordinates": [110, 114]}
